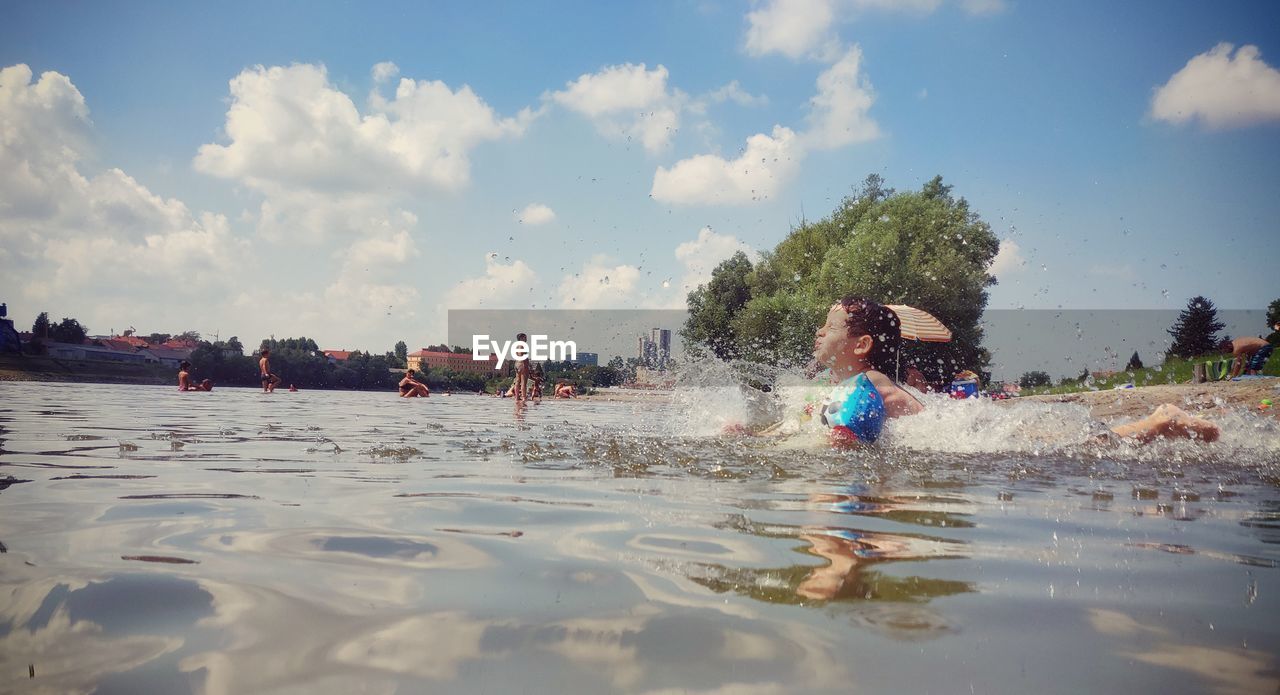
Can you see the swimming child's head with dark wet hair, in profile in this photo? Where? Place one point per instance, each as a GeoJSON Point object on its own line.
{"type": "Point", "coordinates": [862, 331]}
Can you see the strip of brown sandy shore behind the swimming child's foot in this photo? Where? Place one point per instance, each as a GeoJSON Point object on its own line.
{"type": "Point", "coordinates": [1139, 403]}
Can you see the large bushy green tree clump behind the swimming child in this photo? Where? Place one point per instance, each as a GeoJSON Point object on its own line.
{"type": "Point", "coordinates": [925, 249]}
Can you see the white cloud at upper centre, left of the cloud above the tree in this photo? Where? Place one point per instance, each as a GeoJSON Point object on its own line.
{"type": "Point", "coordinates": [628, 102]}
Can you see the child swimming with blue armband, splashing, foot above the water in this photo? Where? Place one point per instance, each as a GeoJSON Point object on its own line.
{"type": "Point", "coordinates": [860, 345]}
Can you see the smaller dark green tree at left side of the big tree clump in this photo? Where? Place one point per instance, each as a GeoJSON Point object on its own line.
{"type": "Point", "coordinates": [714, 307]}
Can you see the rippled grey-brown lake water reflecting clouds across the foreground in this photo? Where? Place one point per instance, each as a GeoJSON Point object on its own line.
{"type": "Point", "coordinates": [330, 542]}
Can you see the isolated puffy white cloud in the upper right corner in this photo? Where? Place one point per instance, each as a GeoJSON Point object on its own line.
{"type": "Point", "coordinates": [1220, 90]}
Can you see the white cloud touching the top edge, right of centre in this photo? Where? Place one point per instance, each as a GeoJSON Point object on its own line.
{"type": "Point", "coordinates": [794, 29]}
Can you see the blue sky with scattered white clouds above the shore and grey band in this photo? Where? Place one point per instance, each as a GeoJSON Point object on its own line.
{"type": "Point", "coordinates": [351, 172]}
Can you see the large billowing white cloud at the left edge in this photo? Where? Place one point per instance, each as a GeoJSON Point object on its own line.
{"type": "Point", "coordinates": [94, 243]}
